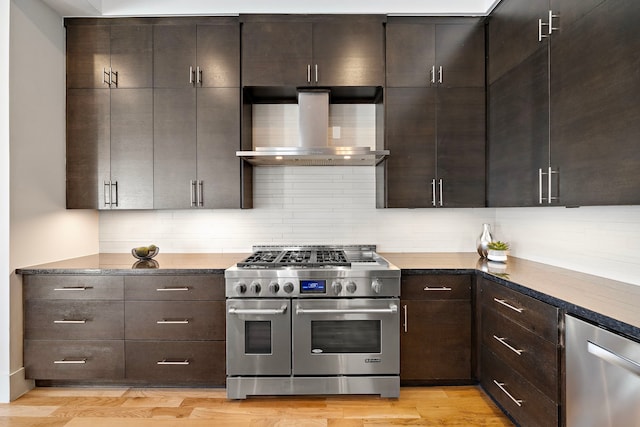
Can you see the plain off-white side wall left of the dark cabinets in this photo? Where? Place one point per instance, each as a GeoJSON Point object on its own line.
{"type": "Point", "coordinates": [41, 229]}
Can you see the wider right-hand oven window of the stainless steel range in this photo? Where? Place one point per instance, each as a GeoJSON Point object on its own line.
{"type": "Point", "coordinates": [345, 336]}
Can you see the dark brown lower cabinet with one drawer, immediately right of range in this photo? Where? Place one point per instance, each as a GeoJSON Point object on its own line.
{"type": "Point", "coordinates": [435, 335]}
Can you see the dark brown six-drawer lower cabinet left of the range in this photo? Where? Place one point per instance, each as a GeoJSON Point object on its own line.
{"type": "Point", "coordinates": [151, 329]}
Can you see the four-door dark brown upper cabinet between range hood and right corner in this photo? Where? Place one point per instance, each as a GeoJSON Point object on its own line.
{"type": "Point", "coordinates": [435, 113]}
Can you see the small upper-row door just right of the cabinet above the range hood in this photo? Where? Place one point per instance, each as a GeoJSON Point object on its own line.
{"type": "Point", "coordinates": [410, 53]}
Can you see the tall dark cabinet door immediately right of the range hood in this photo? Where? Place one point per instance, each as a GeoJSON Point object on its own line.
{"type": "Point", "coordinates": [410, 137]}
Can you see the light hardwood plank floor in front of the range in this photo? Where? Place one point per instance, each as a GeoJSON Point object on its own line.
{"type": "Point", "coordinates": [147, 407]}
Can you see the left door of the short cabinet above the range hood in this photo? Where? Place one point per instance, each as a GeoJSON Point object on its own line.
{"type": "Point", "coordinates": [275, 53]}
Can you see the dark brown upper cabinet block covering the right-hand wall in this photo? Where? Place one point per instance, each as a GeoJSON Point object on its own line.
{"type": "Point", "coordinates": [559, 123]}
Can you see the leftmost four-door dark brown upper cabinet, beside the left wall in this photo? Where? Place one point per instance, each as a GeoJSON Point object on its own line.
{"type": "Point", "coordinates": [109, 114]}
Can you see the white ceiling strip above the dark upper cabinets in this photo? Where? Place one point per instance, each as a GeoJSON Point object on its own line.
{"type": "Point", "coordinates": [233, 7]}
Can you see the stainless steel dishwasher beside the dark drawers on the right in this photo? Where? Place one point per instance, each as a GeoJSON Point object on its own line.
{"type": "Point", "coordinates": [603, 377]}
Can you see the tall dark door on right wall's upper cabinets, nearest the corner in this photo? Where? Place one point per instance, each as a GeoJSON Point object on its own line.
{"type": "Point", "coordinates": [518, 128]}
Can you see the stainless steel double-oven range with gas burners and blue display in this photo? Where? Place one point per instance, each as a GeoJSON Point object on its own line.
{"type": "Point", "coordinates": [313, 320]}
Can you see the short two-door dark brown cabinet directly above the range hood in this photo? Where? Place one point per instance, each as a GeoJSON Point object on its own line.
{"type": "Point", "coordinates": [281, 51]}
